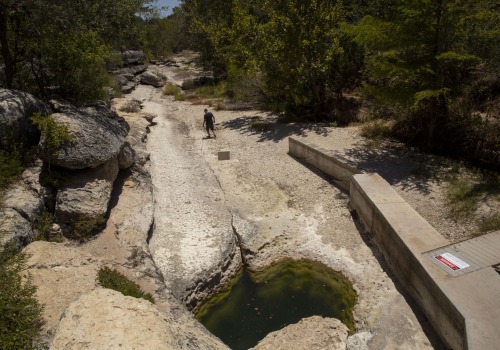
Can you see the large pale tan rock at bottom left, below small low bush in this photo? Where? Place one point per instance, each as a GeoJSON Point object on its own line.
{"type": "Point", "coordinates": [105, 319]}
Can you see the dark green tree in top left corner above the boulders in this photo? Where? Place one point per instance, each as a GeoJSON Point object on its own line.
{"type": "Point", "coordinates": [59, 46]}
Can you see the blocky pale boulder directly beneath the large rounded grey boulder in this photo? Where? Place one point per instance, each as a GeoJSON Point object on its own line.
{"type": "Point", "coordinates": [86, 194]}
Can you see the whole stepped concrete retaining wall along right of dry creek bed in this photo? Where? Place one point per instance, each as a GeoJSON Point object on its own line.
{"type": "Point", "coordinates": [463, 310]}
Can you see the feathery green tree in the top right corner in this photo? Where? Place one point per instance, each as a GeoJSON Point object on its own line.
{"type": "Point", "coordinates": [424, 58]}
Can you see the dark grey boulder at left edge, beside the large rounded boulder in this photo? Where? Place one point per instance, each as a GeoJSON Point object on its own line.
{"type": "Point", "coordinates": [16, 107]}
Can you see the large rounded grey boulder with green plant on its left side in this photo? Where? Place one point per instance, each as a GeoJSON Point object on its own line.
{"type": "Point", "coordinates": [98, 136]}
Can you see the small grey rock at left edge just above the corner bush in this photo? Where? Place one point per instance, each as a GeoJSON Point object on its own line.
{"type": "Point", "coordinates": [14, 227]}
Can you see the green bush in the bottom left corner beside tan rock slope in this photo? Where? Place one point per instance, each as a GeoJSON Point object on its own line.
{"type": "Point", "coordinates": [21, 319]}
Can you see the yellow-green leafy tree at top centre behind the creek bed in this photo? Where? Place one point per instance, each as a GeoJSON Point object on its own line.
{"type": "Point", "coordinates": [295, 47]}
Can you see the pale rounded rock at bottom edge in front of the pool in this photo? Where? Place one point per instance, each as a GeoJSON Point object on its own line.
{"type": "Point", "coordinates": [312, 333]}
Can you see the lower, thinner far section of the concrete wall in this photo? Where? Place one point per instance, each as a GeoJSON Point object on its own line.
{"type": "Point", "coordinates": [323, 160]}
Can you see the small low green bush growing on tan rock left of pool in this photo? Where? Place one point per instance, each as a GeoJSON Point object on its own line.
{"type": "Point", "coordinates": [112, 279]}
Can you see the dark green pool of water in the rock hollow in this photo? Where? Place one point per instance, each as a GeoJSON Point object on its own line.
{"type": "Point", "coordinates": [254, 304]}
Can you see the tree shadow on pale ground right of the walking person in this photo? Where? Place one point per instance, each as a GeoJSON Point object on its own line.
{"type": "Point", "coordinates": [268, 129]}
